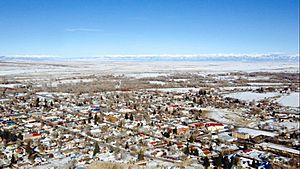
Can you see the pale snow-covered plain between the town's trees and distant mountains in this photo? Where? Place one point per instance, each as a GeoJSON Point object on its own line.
{"type": "Point", "coordinates": [50, 68]}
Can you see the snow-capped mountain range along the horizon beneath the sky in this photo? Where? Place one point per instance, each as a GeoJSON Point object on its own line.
{"type": "Point", "coordinates": [166, 57]}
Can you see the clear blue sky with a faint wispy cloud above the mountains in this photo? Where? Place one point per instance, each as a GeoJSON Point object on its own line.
{"type": "Point", "coordinates": [107, 27]}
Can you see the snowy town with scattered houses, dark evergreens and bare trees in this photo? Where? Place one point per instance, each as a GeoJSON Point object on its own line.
{"type": "Point", "coordinates": [162, 121]}
